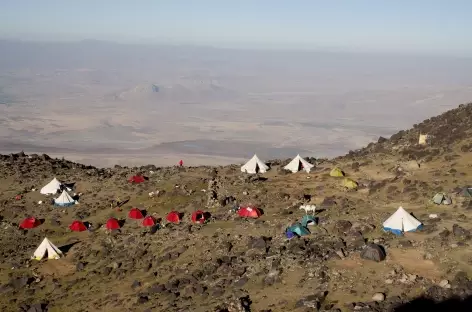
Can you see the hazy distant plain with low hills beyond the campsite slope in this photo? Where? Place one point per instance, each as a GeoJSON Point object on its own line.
{"type": "Point", "coordinates": [105, 103]}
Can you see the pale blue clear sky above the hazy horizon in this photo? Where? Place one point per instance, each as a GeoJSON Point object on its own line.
{"type": "Point", "coordinates": [433, 26]}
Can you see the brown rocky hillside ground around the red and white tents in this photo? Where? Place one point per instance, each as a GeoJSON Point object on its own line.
{"type": "Point", "coordinates": [234, 264]}
